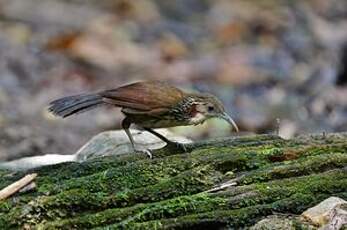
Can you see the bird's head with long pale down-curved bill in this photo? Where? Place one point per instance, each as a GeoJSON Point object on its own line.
{"type": "Point", "coordinates": [209, 106]}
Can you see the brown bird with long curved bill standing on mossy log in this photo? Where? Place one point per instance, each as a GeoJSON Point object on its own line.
{"type": "Point", "coordinates": [148, 105]}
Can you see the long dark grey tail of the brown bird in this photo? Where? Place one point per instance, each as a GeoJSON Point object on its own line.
{"type": "Point", "coordinates": [67, 106]}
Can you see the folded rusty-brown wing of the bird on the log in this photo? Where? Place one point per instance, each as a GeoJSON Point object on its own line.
{"type": "Point", "coordinates": [144, 96]}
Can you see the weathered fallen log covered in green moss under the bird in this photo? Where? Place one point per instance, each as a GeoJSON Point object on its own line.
{"type": "Point", "coordinates": [173, 190]}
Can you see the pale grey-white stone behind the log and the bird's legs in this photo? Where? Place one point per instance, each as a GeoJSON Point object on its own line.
{"type": "Point", "coordinates": [104, 144]}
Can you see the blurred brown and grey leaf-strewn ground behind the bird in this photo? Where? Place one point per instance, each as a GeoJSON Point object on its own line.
{"type": "Point", "coordinates": [276, 64]}
